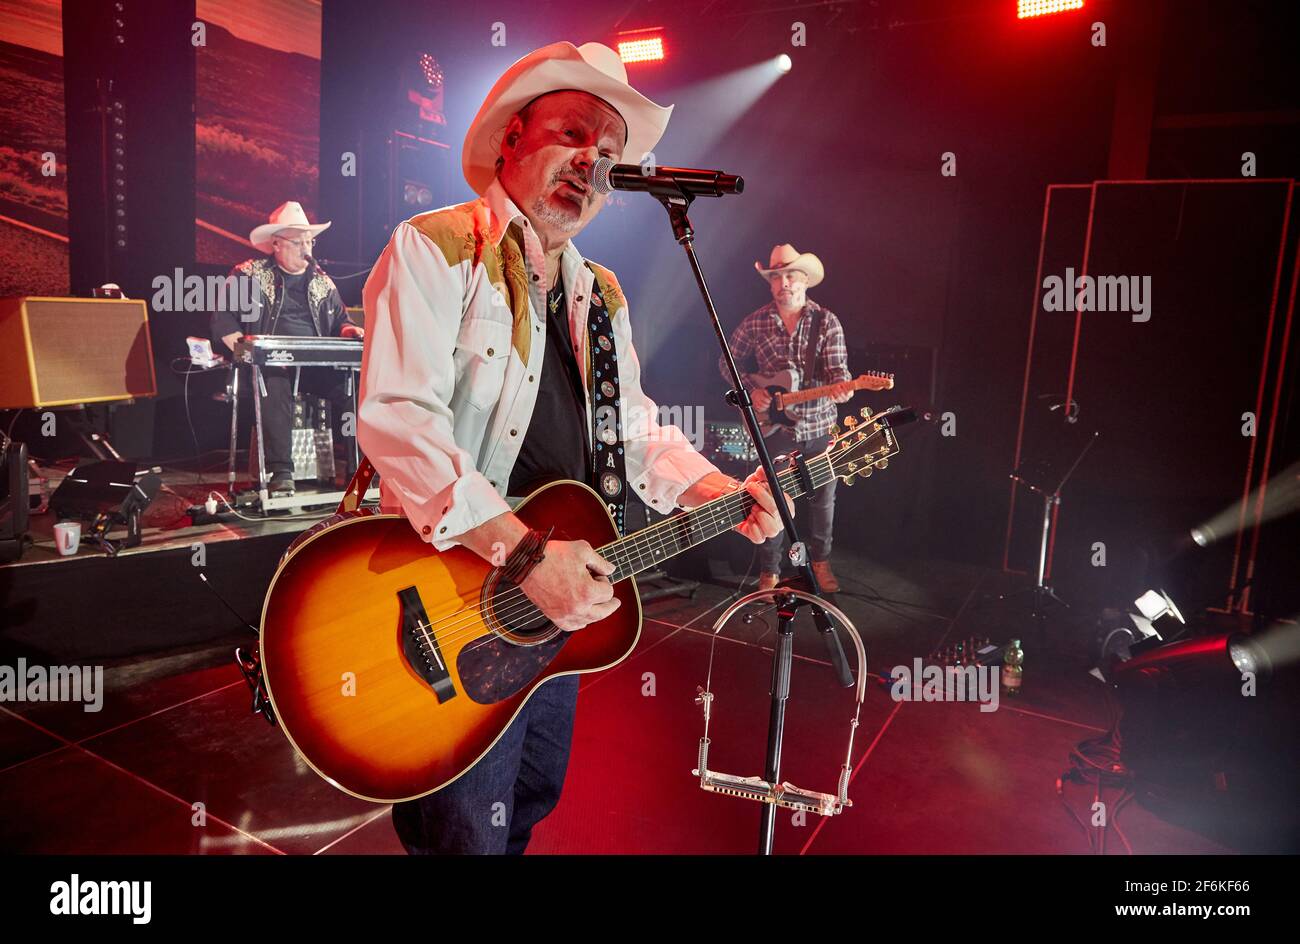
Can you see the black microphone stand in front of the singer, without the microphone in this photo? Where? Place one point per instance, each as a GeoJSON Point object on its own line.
{"type": "Point", "coordinates": [677, 201]}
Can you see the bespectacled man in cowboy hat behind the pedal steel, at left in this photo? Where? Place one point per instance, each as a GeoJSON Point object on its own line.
{"type": "Point", "coordinates": [298, 300]}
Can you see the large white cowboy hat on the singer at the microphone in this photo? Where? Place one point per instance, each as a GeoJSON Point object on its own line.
{"type": "Point", "coordinates": [590, 68]}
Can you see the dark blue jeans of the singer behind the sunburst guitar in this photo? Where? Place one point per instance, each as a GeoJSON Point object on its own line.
{"type": "Point", "coordinates": [493, 808]}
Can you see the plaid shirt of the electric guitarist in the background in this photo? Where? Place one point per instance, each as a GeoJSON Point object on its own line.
{"type": "Point", "coordinates": [762, 345]}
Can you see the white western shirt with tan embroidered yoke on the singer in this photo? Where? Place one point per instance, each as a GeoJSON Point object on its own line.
{"type": "Point", "coordinates": [454, 348]}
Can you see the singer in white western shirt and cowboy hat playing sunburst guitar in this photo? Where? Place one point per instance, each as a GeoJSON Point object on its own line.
{"type": "Point", "coordinates": [499, 358]}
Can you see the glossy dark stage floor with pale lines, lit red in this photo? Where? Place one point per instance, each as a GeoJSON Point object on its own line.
{"type": "Point", "coordinates": [176, 731]}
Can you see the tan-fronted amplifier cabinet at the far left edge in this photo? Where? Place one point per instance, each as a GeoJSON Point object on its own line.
{"type": "Point", "coordinates": [62, 352]}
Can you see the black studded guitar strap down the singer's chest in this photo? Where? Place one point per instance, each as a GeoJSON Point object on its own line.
{"type": "Point", "coordinates": [609, 471]}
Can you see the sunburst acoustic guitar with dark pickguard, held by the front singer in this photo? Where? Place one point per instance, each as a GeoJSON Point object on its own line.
{"type": "Point", "coordinates": [395, 668]}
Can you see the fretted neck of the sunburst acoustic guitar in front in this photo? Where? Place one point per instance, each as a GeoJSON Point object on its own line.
{"type": "Point", "coordinates": [648, 548]}
